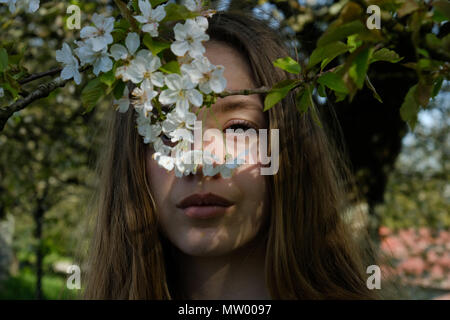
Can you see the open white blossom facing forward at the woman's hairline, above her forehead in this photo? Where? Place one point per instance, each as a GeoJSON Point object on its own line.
{"type": "Point", "coordinates": [189, 37]}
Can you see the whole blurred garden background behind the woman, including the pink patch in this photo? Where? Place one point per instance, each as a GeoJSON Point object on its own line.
{"type": "Point", "coordinates": [48, 153]}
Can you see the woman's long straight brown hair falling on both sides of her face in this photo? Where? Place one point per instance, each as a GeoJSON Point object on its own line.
{"type": "Point", "coordinates": [310, 252]}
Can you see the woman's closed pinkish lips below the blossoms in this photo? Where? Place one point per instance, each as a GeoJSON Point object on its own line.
{"type": "Point", "coordinates": [204, 206]}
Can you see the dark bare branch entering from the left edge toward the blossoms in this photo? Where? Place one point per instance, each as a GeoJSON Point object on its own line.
{"type": "Point", "coordinates": [42, 91]}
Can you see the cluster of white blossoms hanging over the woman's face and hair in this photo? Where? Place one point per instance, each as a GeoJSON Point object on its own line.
{"type": "Point", "coordinates": [177, 93]}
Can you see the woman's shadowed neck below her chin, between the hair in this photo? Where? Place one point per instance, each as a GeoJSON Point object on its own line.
{"type": "Point", "coordinates": [238, 275]}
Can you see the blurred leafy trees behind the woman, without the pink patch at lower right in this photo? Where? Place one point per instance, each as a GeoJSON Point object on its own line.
{"type": "Point", "coordinates": [48, 150]}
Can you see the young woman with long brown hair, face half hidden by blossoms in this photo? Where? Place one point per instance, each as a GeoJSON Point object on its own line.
{"type": "Point", "coordinates": [275, 236]}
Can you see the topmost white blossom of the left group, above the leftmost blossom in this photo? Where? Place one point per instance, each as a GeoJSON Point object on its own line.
{"type": "Point", "coordinates": [100, 35]}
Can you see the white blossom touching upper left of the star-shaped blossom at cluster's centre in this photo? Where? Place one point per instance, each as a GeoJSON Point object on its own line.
{"type": "Point", "coordinates": [145, 66]}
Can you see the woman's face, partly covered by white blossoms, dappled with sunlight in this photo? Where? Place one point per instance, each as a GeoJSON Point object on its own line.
{"type": "Point", "coordinates": [240, 217]}
